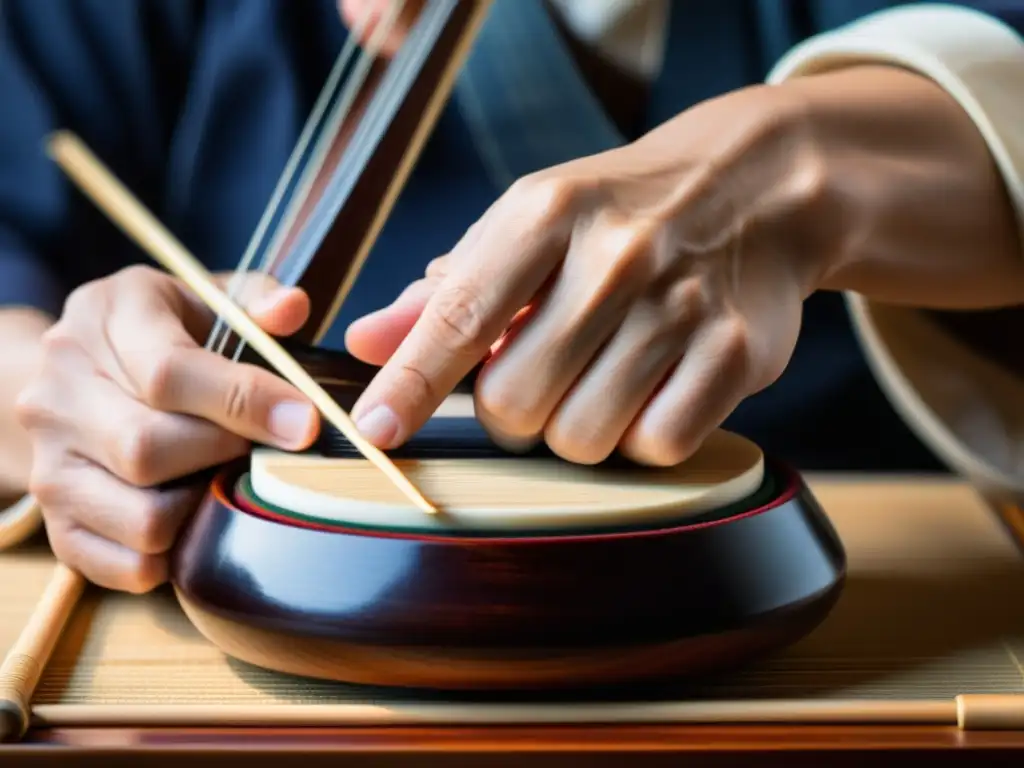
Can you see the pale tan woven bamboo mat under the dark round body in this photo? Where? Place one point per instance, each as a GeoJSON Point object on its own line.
{"type": "Point", "coordinates": [932, 611]}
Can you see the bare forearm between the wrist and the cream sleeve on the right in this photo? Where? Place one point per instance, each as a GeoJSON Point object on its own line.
{"type": "Point", "coordinates": [924, 217]}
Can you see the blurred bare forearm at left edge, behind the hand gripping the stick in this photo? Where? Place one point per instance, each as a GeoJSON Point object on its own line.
{"type": "Point", "coordinates": [21, 331]}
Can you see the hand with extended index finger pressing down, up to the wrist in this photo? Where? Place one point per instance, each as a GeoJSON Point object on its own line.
{"type": "Point", "coordinates": [630, 301]}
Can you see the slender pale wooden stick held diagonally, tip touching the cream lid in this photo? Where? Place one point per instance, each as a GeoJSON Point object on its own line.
{"type": "Point", "coordinates": [126, 211]}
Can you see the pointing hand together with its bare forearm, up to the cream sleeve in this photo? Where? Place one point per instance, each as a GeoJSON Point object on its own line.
{"type": "Point", "coordinates": [633, 300]}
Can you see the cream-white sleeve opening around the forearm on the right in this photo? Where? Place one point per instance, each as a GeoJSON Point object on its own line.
{"type": "Point", "coordinates": [966, 408]}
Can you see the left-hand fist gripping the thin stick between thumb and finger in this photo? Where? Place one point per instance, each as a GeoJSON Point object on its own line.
{"type": "Point", "coordinates": [126, 400]}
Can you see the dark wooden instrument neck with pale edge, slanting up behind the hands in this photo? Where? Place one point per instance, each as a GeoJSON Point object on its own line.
{"type": "Point", "coordinates": [370, 159]}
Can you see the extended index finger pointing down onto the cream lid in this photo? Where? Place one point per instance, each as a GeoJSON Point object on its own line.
{"type": "Point", "coordinates": [503, 270]}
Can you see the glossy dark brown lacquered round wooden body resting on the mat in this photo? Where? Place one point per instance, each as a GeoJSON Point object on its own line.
{"type": "Point", "coordinates": [484, 613]}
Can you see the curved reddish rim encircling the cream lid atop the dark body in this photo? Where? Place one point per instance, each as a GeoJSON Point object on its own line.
{"type": "Point", "coordinates": [788, 489]}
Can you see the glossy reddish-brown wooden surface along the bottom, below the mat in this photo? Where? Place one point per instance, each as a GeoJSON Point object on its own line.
{"type": "Point", "coordinates": [507, 746]}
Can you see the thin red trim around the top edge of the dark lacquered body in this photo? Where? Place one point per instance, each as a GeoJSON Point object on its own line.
{"type": "Point", "coordinates": [221, 494]}
